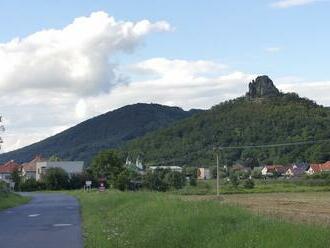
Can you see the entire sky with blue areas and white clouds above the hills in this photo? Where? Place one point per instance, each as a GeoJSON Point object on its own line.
{"type": "Point", "coordinates": [62, 62]}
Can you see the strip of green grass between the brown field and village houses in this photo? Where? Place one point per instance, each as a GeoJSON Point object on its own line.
{"type": "Point", "coordinates": [208, 187]}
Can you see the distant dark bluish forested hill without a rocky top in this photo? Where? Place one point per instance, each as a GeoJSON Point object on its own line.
{"type": "Point", "coordinates": [109, 130]}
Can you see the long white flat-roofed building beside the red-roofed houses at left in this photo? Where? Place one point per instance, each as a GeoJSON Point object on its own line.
{"type": "Point", "coordinates": [70, 167]}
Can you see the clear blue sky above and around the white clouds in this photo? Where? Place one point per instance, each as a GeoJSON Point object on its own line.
{"type": "Point", "coordinates": [236, 33]}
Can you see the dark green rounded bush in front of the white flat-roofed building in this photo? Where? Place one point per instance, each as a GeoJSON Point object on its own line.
{"type": "Point", "coordinates": [56, 179]}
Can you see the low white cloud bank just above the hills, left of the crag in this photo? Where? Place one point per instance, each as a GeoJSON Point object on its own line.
{"type": "Point", "coordinates": [184, 83]}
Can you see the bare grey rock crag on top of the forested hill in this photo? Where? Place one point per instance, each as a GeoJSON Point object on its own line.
{"type": "Point", "coordinates": [262, 86]}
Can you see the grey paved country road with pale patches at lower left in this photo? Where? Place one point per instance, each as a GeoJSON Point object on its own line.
{"type": "Point", "coordinates": [48, 220]}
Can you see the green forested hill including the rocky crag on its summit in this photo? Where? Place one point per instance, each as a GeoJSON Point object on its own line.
{"type": "Point", "coordinates": [263, 116]}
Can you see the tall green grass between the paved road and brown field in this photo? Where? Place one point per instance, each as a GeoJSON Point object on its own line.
{"type": "Point", "coordinates": [115, 219]}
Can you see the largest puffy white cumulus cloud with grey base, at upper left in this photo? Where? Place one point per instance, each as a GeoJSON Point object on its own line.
{"type": "Point", "coordinates": [74, 59]}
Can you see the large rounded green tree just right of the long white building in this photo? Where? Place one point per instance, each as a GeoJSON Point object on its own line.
{"type": "Point", "coordinates": [107, 164]}
